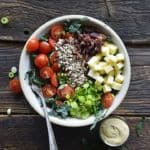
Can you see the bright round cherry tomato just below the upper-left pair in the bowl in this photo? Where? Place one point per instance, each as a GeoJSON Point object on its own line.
{"type": "Point", "coordinates": [41, 60]}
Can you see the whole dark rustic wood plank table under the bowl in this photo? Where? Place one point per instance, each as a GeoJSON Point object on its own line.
{"type": "Point", "coordinates": [25, 129]}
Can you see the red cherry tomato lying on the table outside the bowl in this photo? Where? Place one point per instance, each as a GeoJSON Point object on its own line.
{"type": "Point", "coordinates": [14, 86]}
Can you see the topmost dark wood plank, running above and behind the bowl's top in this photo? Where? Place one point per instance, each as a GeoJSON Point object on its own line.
{"type": "Point", "coordinates": [125, 17]}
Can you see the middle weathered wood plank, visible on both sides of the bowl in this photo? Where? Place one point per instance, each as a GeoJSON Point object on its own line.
{"type": "Point", "coordinates": [136, 102]}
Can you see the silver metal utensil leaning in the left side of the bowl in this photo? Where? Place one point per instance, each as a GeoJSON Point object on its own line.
{"type": "Point", "coordinates": [52, 140]}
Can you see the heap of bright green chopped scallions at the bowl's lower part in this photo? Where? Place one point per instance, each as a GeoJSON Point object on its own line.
{"type": "Point", "coordinates": [85, 101]}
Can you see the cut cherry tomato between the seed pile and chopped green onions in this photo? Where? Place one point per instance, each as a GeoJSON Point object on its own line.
{"type": "Point", "coordinates": [67, 90]}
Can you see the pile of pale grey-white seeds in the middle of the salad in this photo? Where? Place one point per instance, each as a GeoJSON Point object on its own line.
{"type": "Point", "coordinates": [71, 62]}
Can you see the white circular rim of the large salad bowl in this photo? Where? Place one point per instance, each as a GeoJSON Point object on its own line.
{"type": "Point", "coordinates": [74, 122]}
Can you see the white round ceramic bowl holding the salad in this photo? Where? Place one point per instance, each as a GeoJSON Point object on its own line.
{"type": "Point", "coordinates": [24, 66]}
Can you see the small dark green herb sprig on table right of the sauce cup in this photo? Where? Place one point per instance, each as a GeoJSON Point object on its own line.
{"type": "Point", "coordinates": [140, 126]}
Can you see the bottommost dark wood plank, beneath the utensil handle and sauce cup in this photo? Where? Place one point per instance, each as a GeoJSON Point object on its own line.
{"type": "Point", "coordinates": [29, 132]}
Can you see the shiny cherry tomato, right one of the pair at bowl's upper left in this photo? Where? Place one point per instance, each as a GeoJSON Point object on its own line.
{"type": "Point", "coordinates": [45, 47]}
